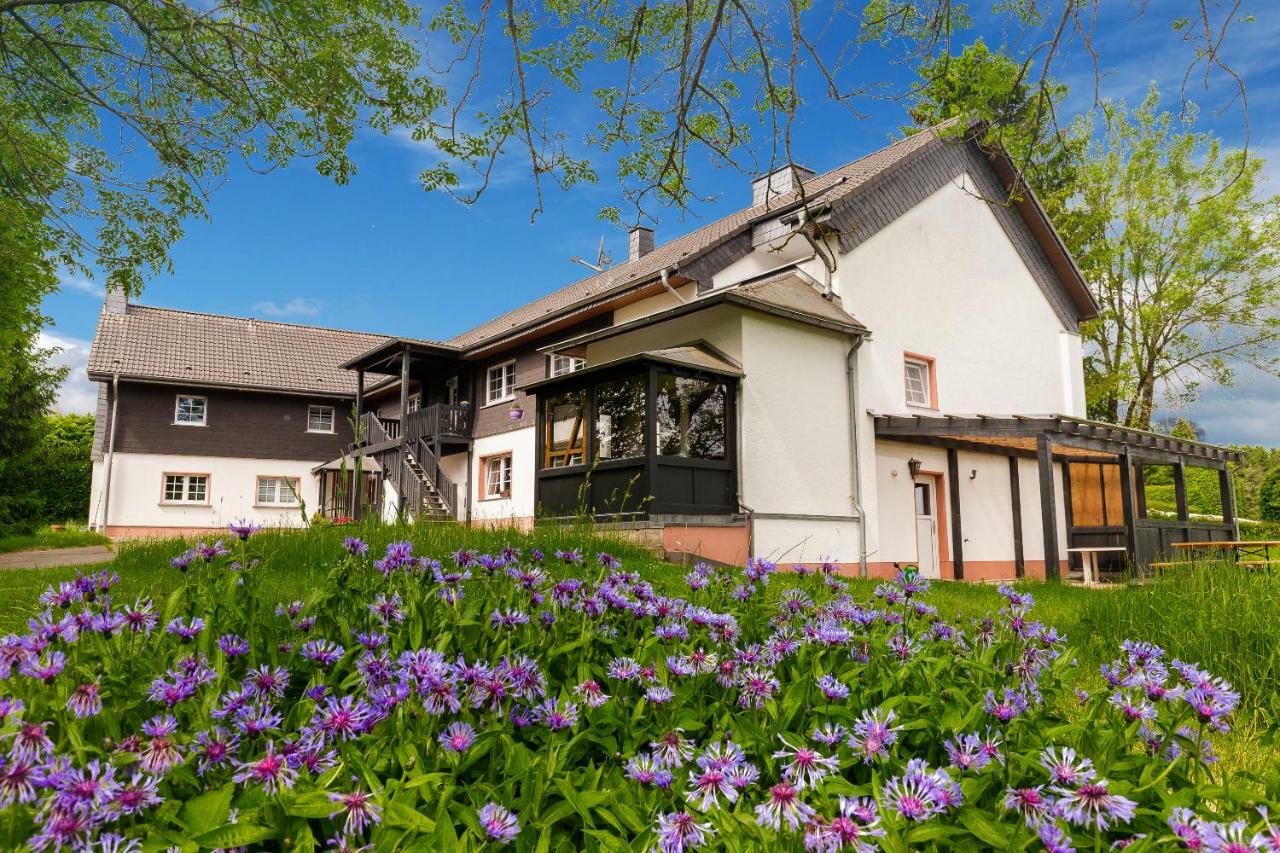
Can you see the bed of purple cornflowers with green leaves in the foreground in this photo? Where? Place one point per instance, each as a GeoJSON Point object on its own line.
{"type": "Point", "coordinates": [414, 704]}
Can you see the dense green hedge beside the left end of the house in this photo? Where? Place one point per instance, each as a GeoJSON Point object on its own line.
{"type": "Point", "coordinates": [66, 464]}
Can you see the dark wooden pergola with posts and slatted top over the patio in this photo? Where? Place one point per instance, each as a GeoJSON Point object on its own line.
{"type": "Point", "coordinates": [1082, 448]}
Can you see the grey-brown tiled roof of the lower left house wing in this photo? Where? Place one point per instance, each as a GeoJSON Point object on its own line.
{"type": "Point", "coordinates": [166, 345]}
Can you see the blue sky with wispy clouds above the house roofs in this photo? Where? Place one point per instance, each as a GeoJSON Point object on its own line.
{"type": "Point", "coordinates": [383, 256]}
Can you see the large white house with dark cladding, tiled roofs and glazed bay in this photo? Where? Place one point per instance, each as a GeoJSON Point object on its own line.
{"type": "Point", "coordinates": [874, 367]}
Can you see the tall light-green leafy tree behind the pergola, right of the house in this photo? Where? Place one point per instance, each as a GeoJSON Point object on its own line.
{"type": "Point", "coordinates": [1182, 249]}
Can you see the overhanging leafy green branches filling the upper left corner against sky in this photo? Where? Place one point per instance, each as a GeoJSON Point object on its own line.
{"type": "Point", "coordinates": [195, 86]}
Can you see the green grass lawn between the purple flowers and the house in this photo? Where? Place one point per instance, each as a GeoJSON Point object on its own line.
{"type": "Point", "coordinates": [1214, 615]}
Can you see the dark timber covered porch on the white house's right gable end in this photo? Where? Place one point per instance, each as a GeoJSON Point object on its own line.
{"type": "Point", "coordinates": [1105, 475]}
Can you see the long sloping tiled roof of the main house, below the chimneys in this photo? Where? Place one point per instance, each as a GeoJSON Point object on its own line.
{"type": "Point", "coordinates": [836, 184]}
